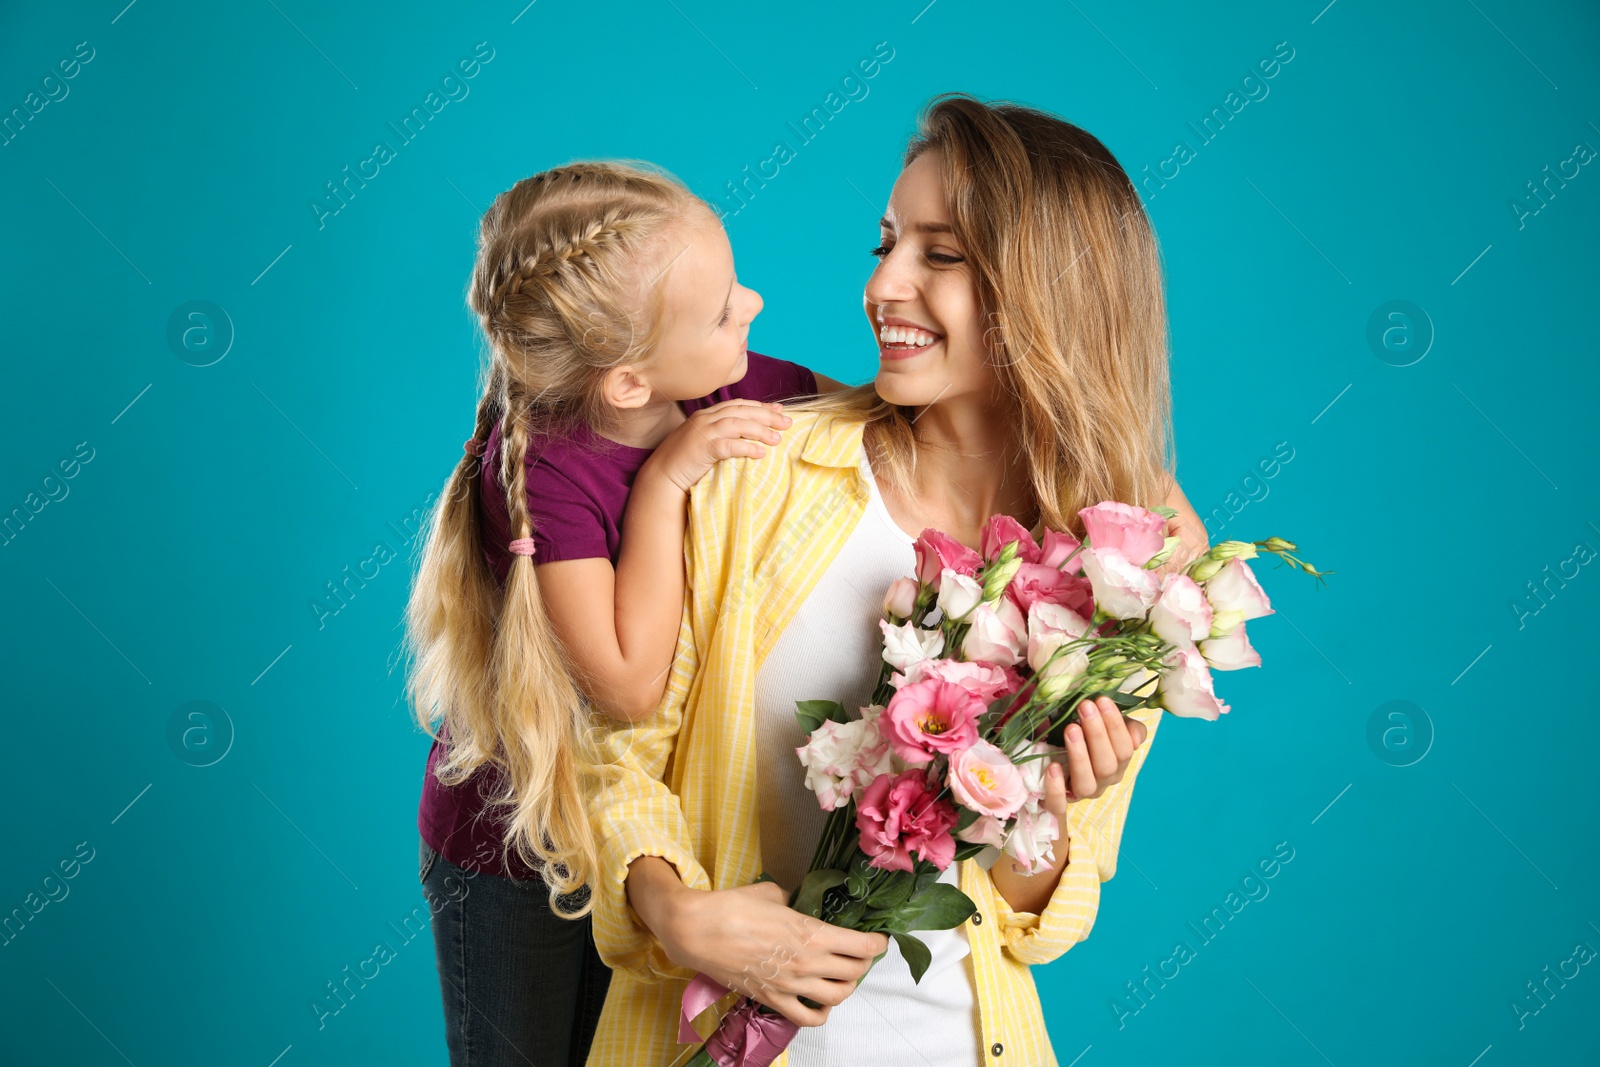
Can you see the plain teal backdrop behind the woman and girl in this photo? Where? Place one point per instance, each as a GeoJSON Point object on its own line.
{"type": "Point", "coordinates": [1441, 860]}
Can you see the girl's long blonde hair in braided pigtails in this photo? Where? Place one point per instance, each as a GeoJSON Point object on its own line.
{"type": "Point", "coordinates": [566, 289]}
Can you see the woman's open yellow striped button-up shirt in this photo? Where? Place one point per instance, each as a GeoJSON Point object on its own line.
{"type": "Point", "coordinates": [761, 533]}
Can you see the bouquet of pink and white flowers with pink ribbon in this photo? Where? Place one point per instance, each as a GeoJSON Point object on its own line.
{"type": "Point", "coordinates": [986, 660]}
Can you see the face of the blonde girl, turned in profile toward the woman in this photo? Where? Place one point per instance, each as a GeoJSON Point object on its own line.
{"type": "Point", "coordinates": [706, 313]}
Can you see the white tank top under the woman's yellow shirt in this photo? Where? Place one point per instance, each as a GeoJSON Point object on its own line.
{"type": "Point", "coordinates": [831, 653]}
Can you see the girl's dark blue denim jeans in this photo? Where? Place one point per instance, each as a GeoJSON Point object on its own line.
{"type": "Point", "coordinates": [522, 986]}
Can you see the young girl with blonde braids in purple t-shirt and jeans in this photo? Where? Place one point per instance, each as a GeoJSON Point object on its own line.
{"type": "Point", "coordinates": [618, 375]}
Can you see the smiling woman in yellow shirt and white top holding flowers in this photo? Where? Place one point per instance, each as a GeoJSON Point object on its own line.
{"type": "Point", "coordinates": [1023, 370]}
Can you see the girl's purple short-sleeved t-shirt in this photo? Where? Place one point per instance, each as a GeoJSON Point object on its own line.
{"type": "Point", "coordinates": [578, 490]}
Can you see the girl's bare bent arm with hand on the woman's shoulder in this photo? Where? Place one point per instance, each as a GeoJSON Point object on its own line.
{"type": "Point", "coordinates": [618, 626]}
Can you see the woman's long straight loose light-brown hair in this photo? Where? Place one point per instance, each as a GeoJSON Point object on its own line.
{"type": "Point", "coordinates": [1070, 281]}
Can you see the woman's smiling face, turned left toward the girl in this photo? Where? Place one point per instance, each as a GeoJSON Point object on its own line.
{"type": "Point", "coordinates": [922, 302]}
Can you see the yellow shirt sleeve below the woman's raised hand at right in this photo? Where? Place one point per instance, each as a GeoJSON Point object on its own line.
{"type": "Point", "coordinates": [1094, 844]}
